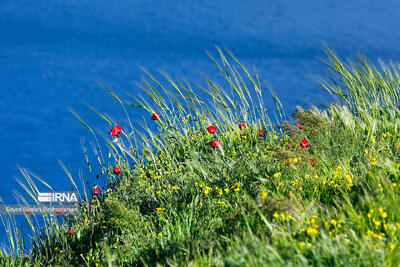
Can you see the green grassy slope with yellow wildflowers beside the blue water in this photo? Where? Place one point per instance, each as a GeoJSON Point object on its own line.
{"type": "Point", "coordinates": [255, 200]}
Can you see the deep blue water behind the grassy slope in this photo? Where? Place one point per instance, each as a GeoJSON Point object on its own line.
{"type": "Point", "coordinates": [54, 53]}
